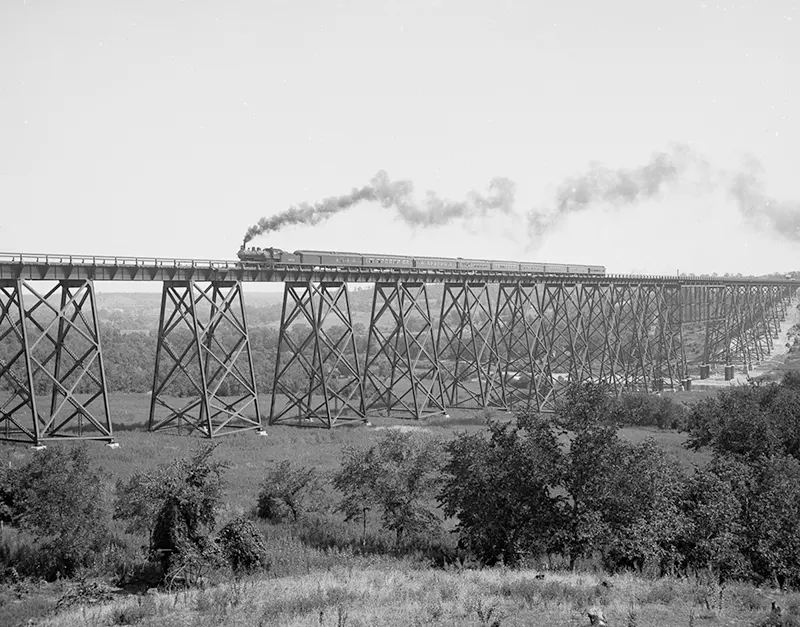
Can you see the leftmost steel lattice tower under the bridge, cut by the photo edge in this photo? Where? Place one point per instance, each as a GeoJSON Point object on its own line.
{"type": "Point", "coordinates": [52, 379]}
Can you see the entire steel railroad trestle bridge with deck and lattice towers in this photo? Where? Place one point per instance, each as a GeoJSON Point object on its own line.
{"type": "Point", "coordinates": [435, 340]}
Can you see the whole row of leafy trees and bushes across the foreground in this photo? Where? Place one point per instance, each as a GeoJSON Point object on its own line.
{"type": "Point", "coordinates": [566, 489]}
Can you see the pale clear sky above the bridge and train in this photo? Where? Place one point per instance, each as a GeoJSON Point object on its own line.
{"type": "Point", "coordinates": [168, 128]}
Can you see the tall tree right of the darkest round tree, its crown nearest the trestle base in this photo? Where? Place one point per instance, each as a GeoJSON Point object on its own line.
{"type": "Point", "coordinates": [615, 498]}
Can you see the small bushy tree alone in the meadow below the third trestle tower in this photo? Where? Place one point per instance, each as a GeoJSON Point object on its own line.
{"type": "Point", "coordinates": [287, 488]}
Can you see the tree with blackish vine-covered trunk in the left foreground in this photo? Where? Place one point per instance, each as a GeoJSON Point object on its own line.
{"type": "Point", "coordinates": [177, 505]}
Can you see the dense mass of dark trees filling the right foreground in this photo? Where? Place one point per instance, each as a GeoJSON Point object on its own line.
{"type": "Point", "coordinates": [518, 493]}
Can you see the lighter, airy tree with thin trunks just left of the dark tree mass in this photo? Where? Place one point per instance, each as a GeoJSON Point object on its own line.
{"type": "Point", "coordinates": [397, 476]}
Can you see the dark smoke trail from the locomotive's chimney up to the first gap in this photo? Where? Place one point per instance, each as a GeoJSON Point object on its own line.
{"type": "Point", "coordinates": [399, 196]}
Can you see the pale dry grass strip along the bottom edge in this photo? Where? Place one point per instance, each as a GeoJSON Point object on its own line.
{"type": "Point", "coordinates": [363, 593]}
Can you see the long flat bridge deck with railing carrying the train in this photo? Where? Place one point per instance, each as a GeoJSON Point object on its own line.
{"type": "Point", "coordinates": [54, 267]}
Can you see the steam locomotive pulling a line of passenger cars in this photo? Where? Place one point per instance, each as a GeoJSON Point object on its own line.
{"type": "Point", "coordinates": [364, 261]}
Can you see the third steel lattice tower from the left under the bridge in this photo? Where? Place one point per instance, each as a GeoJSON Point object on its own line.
{"type": "Point", "coordinates": [317, 374]}
